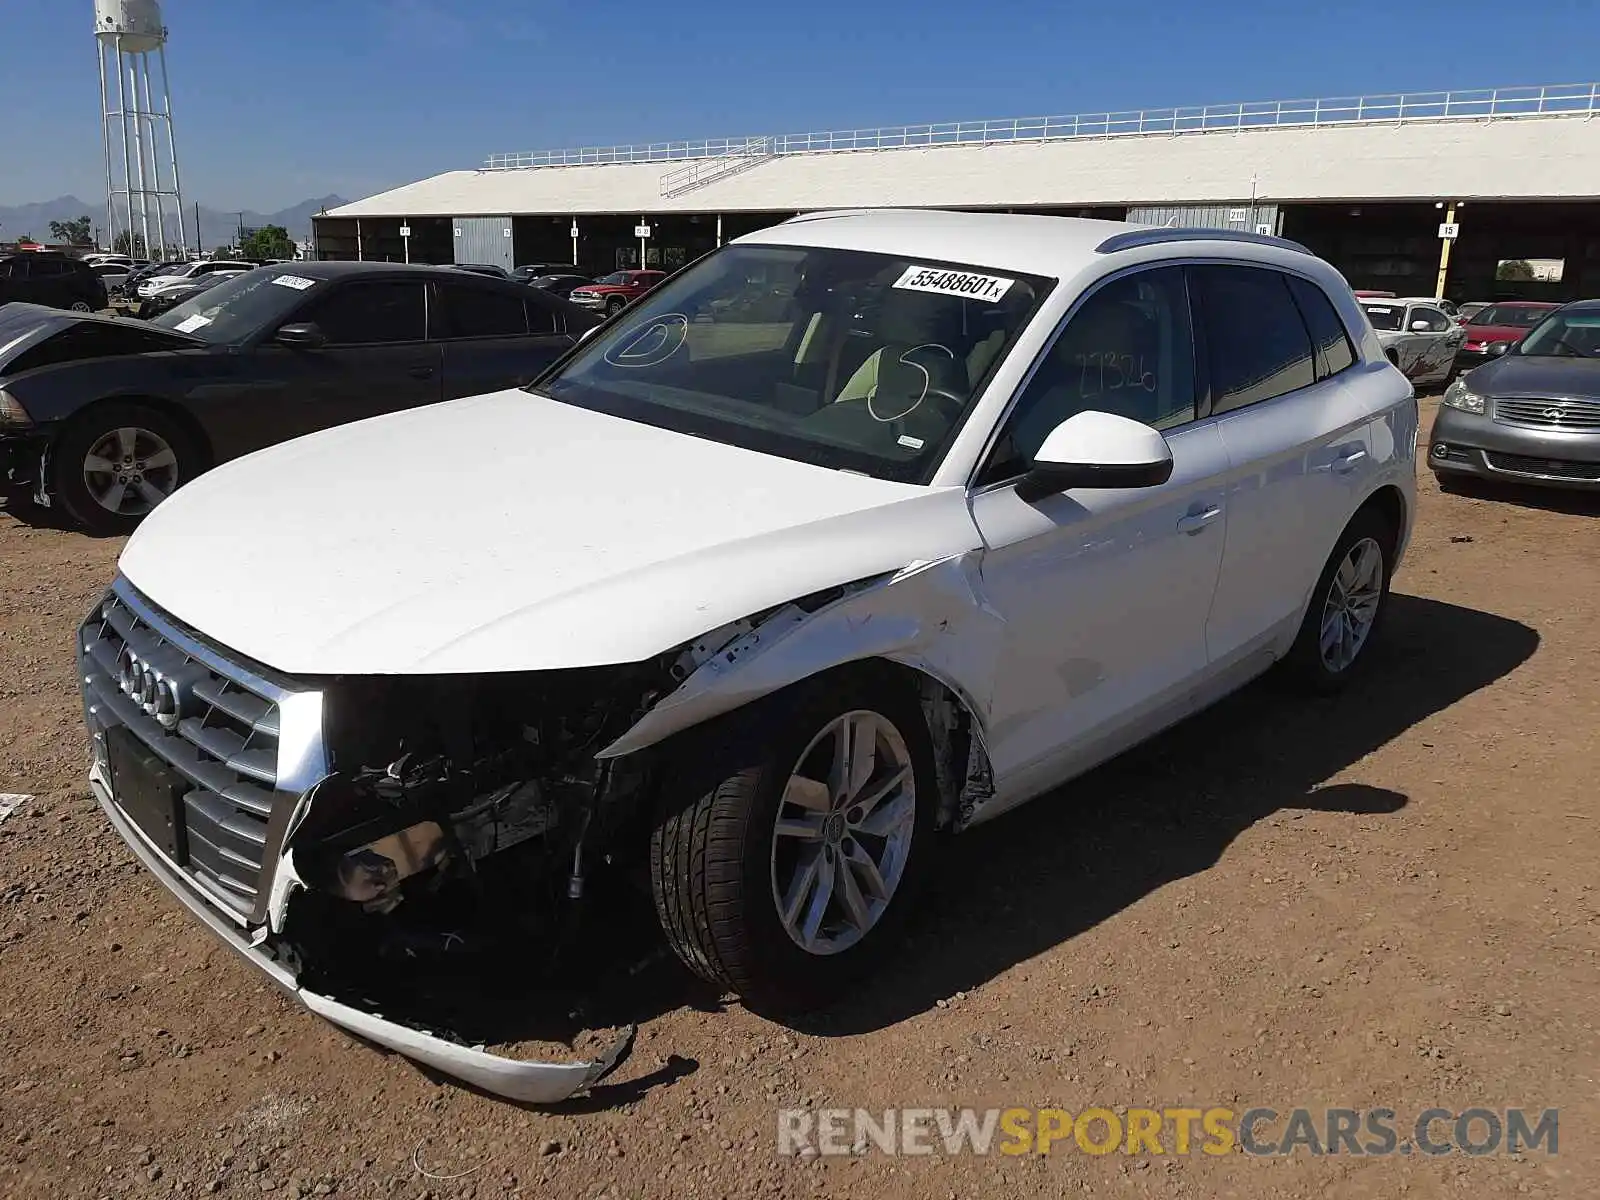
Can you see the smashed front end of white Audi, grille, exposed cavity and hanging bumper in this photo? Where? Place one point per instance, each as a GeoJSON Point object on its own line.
{"type": "Point", "coordinates": [404, 855]}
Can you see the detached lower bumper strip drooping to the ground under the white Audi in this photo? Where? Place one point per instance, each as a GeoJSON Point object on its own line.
{"type": "Point", "coordinates": [511, 1079]}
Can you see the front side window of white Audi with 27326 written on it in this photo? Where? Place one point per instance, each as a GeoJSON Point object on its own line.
{"type": "Point", "coordinates": [1127, 351]}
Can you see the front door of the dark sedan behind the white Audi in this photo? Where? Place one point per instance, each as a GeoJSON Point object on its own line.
{"type": "Point", "coordinates": [377, 359]}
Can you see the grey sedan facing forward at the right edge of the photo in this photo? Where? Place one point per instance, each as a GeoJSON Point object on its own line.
{"type": "Point", "coordinates": [1532, 414]}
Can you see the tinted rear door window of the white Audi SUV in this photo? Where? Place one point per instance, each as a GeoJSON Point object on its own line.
{"type": "Point", "coordinates": [1257, 342]}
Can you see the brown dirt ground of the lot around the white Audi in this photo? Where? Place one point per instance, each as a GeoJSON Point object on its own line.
{"type": "Point", "coordinates": [1386, 900]}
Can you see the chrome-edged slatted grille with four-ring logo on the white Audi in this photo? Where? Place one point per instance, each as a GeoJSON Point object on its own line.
{"type": "Point", "coordinates": [214, 724]}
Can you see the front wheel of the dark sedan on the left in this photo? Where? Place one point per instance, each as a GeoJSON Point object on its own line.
{"type": "Point", "coordinates": [118, 463]}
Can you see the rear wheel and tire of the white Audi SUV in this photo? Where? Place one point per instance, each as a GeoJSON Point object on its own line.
{"type": "Point", "coordinates": [1346, 607]}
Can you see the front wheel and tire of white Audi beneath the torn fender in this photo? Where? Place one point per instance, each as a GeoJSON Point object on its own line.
{"type": "Point", "coordinates": [788, 852]}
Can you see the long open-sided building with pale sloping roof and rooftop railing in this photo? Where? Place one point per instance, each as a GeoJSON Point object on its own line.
{"type": "Point", "coordinates": [1372, 183]}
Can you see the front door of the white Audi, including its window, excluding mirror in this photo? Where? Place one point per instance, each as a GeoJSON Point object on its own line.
{"type": "Point", "coordinates": [1103, 593]}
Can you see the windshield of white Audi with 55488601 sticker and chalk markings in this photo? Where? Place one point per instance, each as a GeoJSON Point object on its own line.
{"type": "Point", "coordinates": [834, 358]}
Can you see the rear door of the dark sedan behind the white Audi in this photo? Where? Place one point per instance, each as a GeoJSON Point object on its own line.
{"type": "Point", "coordinates": [494, 337]}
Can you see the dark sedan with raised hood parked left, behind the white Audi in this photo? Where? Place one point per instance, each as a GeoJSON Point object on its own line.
{"type": "Point", "coordinates": [106, 417]}
